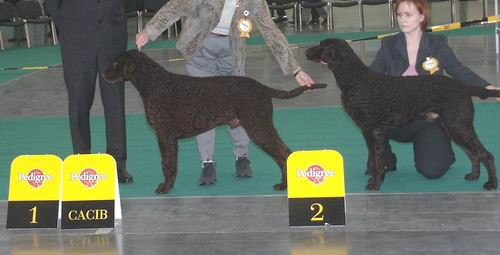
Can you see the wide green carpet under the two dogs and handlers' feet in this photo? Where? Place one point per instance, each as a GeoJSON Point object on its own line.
{"type": "Point", "coordinates": [301, 129]}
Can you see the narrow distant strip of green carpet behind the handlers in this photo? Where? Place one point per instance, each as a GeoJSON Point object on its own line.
{"type": "Point", "coordinates": [46, 55]}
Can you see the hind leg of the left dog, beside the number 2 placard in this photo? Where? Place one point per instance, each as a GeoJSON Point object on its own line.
{"type": "Point", "coordinates": [267, 138]}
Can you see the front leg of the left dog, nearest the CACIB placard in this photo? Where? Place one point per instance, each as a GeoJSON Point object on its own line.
{"type": "Point", "coordinates": [168, 150]}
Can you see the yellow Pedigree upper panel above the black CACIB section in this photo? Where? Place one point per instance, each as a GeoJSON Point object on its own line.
{"type": "Point", "coordinates": [89, 177]}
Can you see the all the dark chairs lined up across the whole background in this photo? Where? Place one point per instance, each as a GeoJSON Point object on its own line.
{"type": "Point", "coordinates": [25, 12]}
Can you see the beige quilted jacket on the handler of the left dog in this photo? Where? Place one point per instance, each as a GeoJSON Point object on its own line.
{"type": "Point", "coordinates": [202, 17]}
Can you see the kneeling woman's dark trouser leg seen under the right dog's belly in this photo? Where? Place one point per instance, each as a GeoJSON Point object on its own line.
{"type": "Point", "coordinates": [432, 150]}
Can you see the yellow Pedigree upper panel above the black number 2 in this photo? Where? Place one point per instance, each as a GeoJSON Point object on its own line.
{"type": "Point", "coordinates": [318, 173]}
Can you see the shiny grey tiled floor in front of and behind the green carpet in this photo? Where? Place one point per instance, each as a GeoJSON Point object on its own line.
{"type": "Point", "coordinates": [430, 223]}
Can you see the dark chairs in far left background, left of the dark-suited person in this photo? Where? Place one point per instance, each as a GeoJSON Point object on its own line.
{"type": "Point", "coordinates": [18, 14]}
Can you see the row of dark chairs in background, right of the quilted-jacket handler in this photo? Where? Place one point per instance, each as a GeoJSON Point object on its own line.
{"type": "Point", "coordinates": [299, 5]}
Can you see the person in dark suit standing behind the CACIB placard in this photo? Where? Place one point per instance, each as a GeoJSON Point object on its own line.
{"type": "Point", "coordinates": [92, 34]}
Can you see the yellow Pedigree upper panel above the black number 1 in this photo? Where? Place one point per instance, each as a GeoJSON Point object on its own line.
{"type": "Point", "coordinates": [35, 178]}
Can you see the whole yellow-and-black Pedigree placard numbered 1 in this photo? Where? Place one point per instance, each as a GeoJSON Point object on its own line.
{"type": "Point", "coordinates": [34, 191]}
